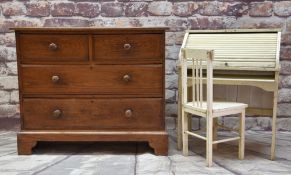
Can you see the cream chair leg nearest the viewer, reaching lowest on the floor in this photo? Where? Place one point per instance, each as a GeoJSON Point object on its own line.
{"type": "Point", "coordinates": [209, 140]}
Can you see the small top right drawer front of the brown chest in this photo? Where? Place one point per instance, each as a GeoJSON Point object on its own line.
{"type": "Point", "coordinates": [128, 48]}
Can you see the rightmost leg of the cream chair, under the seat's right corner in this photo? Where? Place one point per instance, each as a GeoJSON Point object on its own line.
{"type": "Point", "coordinates": [242, 136]}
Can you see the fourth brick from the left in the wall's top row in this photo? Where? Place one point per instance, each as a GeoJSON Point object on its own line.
{"type": "Point", "coordinates": [90, 10]}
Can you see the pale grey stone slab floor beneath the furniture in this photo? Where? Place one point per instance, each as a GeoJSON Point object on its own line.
{"type": "Point", "coordinates": [137, 158]}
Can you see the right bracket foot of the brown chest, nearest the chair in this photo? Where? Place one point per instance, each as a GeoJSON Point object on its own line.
{"type": "Point", "coordinates": [160, 145]}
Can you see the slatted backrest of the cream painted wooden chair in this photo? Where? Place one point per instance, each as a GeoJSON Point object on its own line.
{"type": "Point", "coordinates": [200, 60]}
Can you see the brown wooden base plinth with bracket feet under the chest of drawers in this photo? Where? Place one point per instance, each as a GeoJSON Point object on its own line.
{"type": "Point", "coordinates": [157, 140]}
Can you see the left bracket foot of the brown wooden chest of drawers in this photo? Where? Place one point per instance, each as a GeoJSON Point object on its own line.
{"type": "Point", "coordinates": [24, 145]}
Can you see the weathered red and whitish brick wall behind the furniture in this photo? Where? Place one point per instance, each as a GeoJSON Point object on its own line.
{"type": "Point", "coordinates": [178, 15]}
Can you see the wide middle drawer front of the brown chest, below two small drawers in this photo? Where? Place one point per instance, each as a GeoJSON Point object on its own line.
{"type": "Point", "coordinates": [83, 79]}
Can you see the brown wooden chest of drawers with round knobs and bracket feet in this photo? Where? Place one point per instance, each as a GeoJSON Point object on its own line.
{"type": "Point", "coordinates": [91, 84]}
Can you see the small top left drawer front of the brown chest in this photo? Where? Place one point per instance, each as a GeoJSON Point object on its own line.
{"type": "Point", "coordinates": [53, 48]}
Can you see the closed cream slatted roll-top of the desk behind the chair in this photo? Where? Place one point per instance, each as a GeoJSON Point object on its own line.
{"type": "Point", "coordinates": [239, 49]}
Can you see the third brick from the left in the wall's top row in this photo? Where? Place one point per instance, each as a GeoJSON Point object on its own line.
{"type": "Point", "coordinates": [63, 9]}
